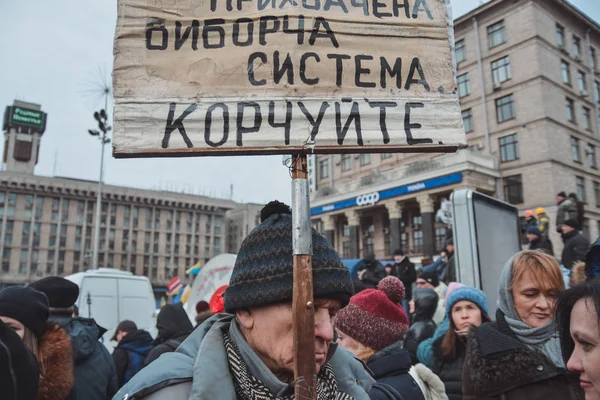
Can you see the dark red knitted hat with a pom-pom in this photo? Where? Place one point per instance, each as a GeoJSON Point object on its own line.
{"type": "Point", "coordinates": [375, 317]}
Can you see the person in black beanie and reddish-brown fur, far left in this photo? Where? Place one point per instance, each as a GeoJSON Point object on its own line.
{"type": "Point", "coordinates": [26, 311]}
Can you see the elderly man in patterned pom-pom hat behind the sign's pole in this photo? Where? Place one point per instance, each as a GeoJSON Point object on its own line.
{"type": "Point", "coordinates": [249, 353]}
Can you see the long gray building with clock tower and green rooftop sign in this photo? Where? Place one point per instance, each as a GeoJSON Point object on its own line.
{"type": "Point", "coordinates": [47, 223]}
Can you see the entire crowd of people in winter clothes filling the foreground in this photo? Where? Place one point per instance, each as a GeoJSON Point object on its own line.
{"type": "Point", "coordinates": [380, 340]}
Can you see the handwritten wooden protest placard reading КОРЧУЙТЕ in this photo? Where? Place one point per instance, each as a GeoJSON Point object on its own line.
{"type": "Point", "coordinates": [211, 77]}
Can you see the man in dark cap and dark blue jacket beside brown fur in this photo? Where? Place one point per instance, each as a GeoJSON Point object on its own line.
{"type": "Point", "coordinates": [95, 376]}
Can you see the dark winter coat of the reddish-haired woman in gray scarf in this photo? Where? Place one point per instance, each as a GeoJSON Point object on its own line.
{"type": "Point", "coordinates": [499, 367]}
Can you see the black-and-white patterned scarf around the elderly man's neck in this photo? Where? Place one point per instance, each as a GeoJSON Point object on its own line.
{"type": "Point", "coordinates": [247, 387]}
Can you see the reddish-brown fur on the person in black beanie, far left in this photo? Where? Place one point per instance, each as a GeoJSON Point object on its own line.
{"type": "Point", "coordinates": [56, 364]}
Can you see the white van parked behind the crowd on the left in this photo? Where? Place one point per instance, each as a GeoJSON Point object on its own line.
{"type": "Point", "coordinates": [109, 296]}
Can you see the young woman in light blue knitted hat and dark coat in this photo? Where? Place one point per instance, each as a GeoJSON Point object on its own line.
{"type": "Point", "coordinates": [465, 307]}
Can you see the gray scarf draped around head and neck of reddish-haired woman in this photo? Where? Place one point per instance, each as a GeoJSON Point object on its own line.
{"type": "Point", "coordinates": [544, 338]}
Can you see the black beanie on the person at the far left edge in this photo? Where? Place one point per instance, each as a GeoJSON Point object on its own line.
{"type": "Point", "coordinates": [26, 305]}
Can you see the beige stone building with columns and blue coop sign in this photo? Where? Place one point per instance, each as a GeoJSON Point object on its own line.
{"type": "Point", "coordinates": [528, 82]}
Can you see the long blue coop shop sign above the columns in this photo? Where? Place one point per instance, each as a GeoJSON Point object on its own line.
{"type": "Point", "coordinates": [373, 198]}
